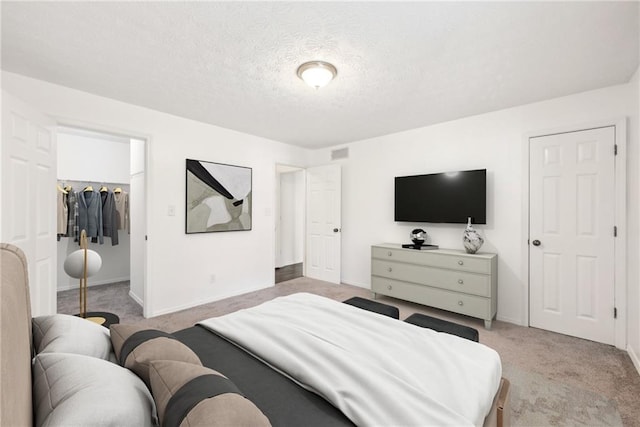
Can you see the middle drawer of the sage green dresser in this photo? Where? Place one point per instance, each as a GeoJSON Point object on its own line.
{"type": "Point", "coordinates": [457, 281]}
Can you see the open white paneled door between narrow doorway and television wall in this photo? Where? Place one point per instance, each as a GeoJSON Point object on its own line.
{"type": "Point", "coordinates": [323, 223]}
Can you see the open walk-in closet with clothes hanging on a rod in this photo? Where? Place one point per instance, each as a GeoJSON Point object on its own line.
{"type": "Point", "coordinates": [100, 188]}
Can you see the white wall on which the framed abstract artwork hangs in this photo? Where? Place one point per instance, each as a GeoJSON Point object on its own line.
{"type": "Point", "coordinates": [183, 270]}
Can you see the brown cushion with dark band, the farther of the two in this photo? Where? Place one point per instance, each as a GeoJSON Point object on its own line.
{"type": "Point", "coordinates": [135, 347]}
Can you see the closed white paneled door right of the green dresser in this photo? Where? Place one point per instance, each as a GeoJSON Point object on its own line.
{"type": "Point", "coordinates": [571, 233]}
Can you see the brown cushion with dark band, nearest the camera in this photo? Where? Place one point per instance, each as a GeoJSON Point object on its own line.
{"type": "Point", "coordinates": [192, 395]}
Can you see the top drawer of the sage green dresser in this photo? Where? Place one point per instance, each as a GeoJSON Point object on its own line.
{"type": "Point", "coordinates": [453, 261]}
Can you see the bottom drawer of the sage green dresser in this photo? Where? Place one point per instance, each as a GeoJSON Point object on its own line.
{"type": "Point", "coordinates": [469, 305]}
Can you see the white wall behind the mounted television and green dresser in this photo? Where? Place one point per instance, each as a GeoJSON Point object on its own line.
{"type": "Point", "coordinates": [493, 141]}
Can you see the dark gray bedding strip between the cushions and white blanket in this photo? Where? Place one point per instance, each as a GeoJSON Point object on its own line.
{"type": "Point", "coordinates": [280, 399]}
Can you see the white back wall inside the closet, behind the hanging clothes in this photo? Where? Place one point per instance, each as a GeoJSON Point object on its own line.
{"type": "Point", "coordinates": [84, 157]}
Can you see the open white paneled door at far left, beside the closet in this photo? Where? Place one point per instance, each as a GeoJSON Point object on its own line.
{"type": "Point", "coordinates": [28, 196]}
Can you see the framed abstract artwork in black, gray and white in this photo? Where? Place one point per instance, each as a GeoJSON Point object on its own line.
{"type": "Point", "coordinates": [218, 197]}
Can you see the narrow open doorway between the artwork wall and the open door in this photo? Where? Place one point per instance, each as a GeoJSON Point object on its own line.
{"type": "Point", "coordinates": [290, 222]}
